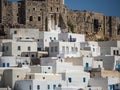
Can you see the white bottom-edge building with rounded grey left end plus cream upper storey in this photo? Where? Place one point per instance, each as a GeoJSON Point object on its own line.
{"type": "Point", "coordinates": [39, 82]}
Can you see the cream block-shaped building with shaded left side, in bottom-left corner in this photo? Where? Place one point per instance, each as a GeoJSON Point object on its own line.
{"type": "Point", "coordinates": [11, 75]}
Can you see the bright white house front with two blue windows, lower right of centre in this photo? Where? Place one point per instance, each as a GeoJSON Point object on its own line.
{"type": "Point", "coordinates": [77, 78]}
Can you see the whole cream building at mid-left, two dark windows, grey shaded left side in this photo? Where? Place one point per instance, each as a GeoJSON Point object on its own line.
{"type": "Point", "coordinates": [23, 47]}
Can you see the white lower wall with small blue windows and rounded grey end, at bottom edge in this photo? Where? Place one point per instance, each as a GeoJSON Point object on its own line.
{"type": "Point", "coordinates": [43, 84]}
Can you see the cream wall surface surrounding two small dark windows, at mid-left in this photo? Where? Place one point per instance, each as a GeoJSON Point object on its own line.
{"type": "Point", "coordinates": [13, 47]}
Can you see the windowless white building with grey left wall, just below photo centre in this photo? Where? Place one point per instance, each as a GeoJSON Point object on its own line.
{"type": "Point", "coordinates": [59, 65]}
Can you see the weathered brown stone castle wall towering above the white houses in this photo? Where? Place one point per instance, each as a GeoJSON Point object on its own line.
{"type": "Point", "coordinates": [47, 15]}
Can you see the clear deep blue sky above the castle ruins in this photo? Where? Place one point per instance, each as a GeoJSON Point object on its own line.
{"type": "Point", "coordinates": [108, 7]}
